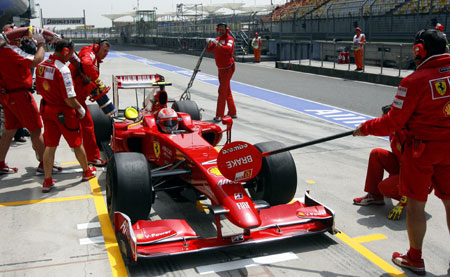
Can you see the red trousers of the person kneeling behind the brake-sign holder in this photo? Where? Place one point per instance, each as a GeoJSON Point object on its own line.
{"type": "Point", "coordinates": [379, 161]}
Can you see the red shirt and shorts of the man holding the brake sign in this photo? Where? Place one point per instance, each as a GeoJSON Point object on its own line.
{"type": "Point", "coordinates": [422, 107]}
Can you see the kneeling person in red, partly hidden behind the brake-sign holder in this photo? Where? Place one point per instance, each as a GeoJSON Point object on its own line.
{"type": "Point", "coordinates": [379, 161]}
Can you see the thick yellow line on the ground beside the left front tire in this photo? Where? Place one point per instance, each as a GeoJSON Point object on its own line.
{"type": "Point", "coordinates": [112, 248]}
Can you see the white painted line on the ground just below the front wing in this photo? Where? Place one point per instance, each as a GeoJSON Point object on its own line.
{"type": "Point", "coordinates": [271, 259]}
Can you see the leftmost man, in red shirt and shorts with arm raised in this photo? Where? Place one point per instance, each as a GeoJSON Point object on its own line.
{"type": "Point", "coordinates": [19, 106]}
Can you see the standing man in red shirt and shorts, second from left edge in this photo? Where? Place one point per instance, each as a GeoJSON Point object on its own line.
{"type": "Point", "coordinates": [60, 110]}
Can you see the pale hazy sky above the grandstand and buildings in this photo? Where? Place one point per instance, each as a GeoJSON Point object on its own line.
{"type": "Point", "coordinates": [95, 8]}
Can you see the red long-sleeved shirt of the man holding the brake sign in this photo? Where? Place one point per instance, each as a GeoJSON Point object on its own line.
{"type": "Point", "coordinates": [422, 104]}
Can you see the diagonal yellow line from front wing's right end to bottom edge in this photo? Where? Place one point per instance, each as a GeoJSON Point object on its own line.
{"type": "Point", "coordinates": [388, 268]}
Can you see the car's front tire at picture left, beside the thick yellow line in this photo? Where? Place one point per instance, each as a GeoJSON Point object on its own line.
{"type": "Point", "coordinates": [129, 186]}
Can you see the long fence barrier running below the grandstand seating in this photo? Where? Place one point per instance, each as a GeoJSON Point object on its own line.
{"type": "Point", "coordinates": [392, 27]}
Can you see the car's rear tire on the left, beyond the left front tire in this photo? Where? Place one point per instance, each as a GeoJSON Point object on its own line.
{"type": "Point", "coordinates": [102, 124]}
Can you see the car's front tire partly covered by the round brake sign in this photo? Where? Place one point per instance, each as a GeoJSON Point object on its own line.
{"type": "Point", "coordinates": [276, 183]}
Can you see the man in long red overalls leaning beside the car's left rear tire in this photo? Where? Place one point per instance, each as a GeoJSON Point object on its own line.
{"type": "Point", "coordinates": [86, 80]}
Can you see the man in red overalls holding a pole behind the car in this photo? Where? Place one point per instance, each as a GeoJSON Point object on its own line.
{"type": "Point", "coordinates": [223, 48]}
